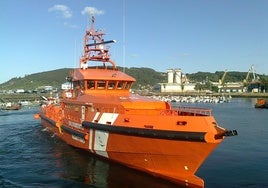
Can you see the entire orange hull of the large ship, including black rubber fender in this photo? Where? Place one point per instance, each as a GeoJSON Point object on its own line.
{"type": "Point", "coordinates": [175, 154]}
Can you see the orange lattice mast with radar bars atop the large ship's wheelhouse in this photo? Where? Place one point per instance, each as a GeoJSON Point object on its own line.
{"type": "Point", "coordinates": [95, 48]}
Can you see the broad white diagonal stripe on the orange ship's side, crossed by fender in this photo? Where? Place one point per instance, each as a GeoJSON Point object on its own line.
{"type": "Point", "coordinates": [101, 137]}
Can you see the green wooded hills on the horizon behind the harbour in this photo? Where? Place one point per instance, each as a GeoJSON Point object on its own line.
{"type": "Point", "coordinates": [145, 77]}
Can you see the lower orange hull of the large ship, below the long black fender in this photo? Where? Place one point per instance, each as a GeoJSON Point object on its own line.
{"type": "Point", "coordinates": [173, 158]}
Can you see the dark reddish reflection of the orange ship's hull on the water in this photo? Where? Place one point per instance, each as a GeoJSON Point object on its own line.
{"type": "Point", "coordinates": [81, 166]}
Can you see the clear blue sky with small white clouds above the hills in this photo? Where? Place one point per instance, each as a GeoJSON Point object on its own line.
{"type": "Point", "coordinates": [194, 35]}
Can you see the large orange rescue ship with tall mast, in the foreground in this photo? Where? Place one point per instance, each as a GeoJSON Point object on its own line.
{"type": "Point", "coordinates": [101, 115]}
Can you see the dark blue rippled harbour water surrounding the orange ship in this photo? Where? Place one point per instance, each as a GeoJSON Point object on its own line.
{"type": "Point", "coordinates": [30, 156]}
